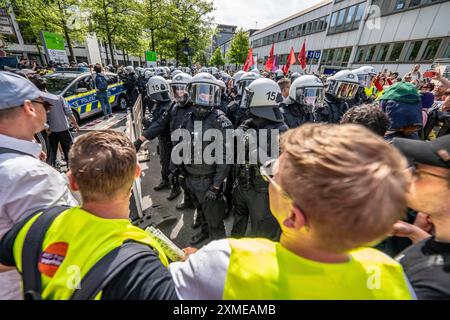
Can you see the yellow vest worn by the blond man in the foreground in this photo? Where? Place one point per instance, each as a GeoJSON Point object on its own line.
{"type": "Point", "coordinates": [263, 270]}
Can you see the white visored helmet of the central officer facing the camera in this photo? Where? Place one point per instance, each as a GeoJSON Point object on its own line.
{"type": "Point", "coordinates": [204, 91]}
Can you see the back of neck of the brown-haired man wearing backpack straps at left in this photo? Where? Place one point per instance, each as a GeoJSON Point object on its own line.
{"type": "Point", "coordinates": [113, 209]}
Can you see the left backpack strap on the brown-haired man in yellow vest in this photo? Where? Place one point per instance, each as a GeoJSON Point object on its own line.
{"type": "Point", "coordinates": [32, 247]}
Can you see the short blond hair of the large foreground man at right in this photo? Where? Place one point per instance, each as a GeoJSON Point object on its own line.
{"type": "Point", "coordinates": [349, 182]}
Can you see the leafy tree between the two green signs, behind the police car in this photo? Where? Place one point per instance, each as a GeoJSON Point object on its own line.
{"type": "Point", "coordinates": [116, 21]}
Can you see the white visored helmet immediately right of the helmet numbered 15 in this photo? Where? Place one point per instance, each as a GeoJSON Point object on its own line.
{"type": "Point", "coordinates": [307, 91]}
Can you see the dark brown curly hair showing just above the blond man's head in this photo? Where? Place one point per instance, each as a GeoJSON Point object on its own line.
{"type": "Point", "coordinates": [371, 117]}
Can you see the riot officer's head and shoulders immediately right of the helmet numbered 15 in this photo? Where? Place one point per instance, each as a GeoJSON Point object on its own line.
{"type": "Point", "coordinates": [305, 95]}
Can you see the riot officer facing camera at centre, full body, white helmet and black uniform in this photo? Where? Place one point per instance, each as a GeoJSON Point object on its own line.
{"type": "Point", "coordinates": [204, 179]}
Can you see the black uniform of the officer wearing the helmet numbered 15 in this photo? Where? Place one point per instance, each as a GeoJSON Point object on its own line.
{"type": "Point", "coordinates": [250, 192]}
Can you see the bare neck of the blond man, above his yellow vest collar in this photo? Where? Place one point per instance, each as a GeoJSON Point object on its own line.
{"type": "Point", "coordinates": [302, 248]}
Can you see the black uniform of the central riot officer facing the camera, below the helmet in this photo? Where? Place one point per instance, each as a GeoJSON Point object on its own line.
{"type": "Point", "coordinates": [200, 178]}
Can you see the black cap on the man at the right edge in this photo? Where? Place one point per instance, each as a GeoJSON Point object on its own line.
{"type": "Point", "coordinates": [434, 153]}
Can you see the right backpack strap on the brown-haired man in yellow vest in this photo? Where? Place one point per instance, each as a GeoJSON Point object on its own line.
{"type": "Point", "coordinates": [108, 267]}
